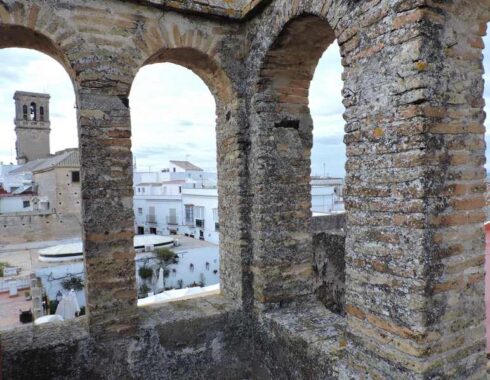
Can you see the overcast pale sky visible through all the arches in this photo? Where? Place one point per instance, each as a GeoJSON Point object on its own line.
{"type": "Point", "coordinates": [172, 110]}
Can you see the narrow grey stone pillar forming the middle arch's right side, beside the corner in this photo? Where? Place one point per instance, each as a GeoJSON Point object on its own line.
{"type": "Point", "coordinates": [234, 203]}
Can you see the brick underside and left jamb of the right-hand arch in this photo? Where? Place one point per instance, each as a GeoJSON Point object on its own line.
{"type": "Point", "coordinates": [282, 138]}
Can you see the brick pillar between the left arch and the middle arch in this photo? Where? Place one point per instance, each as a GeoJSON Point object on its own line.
{"type": "Point", "coordinates": [107, 210]}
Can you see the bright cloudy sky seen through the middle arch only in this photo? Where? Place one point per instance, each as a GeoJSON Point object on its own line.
{"type": "Point", "coordinates": [172, 108]}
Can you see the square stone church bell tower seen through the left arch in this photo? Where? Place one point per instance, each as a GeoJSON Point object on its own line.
{"type": "Point", "coordinates": [32, 126]}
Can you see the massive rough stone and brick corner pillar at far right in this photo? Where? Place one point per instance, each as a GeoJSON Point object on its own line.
{"type": "Point", "coordinates": [414, 193]}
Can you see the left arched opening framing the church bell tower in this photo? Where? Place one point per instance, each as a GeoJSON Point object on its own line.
{"type": "Point", "coordinates": [40, 179]}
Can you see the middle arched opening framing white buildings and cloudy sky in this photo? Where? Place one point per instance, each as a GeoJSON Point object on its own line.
{"type": "Point", "coordinates": [174, 116]}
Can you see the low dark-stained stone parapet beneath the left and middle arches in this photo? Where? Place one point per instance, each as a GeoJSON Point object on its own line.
{"type": "Point", "coordinates": [196, 339]}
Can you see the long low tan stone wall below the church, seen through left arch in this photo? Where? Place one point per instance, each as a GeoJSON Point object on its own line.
{"type": "Point", "coordinates": [23, 227]}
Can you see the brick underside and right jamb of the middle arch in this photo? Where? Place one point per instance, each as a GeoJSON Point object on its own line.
{"type": "Point", "coordinates": [230, 147]}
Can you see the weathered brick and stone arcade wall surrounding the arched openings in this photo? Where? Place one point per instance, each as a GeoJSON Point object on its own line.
{"type": "Point", "coordinates": [413, 93]}
